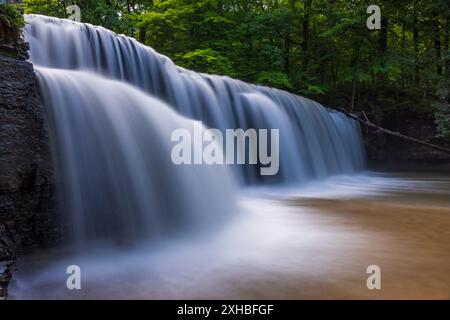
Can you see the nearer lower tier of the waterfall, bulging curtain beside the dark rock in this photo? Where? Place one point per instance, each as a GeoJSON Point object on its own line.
{"type": "Point", "coordinates": [114, 161]}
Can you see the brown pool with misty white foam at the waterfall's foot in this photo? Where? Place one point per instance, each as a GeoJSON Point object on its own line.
{"type": "Point", "coordinates": [314, 242]}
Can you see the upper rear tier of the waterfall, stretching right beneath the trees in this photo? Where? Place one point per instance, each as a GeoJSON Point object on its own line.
{"type": "Point", "coordinates": [315, 142]}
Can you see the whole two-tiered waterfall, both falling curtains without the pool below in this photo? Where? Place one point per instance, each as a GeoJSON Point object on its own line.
{"type": "Point", "coordinates": [112, 138]}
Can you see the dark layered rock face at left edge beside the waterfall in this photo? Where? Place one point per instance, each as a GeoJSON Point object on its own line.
{"type": "Point", "coordinates": [27, 217]}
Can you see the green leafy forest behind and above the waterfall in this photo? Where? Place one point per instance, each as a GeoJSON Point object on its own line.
{"type": "Point", "coordinates": [321, 49]}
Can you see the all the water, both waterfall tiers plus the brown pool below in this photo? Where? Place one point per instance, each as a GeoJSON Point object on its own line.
{"type": "Point", "coordinates": [112, 106]}
